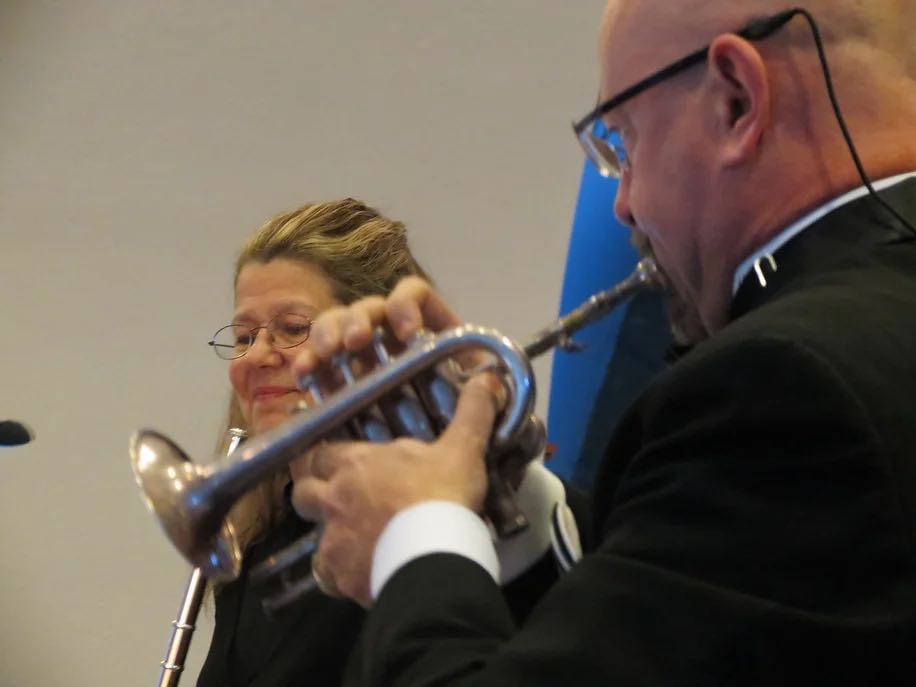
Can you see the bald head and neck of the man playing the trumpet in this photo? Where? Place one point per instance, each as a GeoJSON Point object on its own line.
{"type": "Point", "coordinates": [742, 145]}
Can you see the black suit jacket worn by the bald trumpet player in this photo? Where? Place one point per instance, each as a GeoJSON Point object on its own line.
{"type": "Point", "coordinates": [755, 509]}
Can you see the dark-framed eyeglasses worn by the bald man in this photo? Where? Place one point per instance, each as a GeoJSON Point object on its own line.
{"type": "Point", "coordinates": [604, 146]}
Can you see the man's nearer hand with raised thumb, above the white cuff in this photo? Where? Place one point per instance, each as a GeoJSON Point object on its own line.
{"type": "Point", "coordinates": [355, 487]}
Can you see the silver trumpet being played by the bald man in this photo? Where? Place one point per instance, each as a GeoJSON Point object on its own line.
{"type": "Point", "coordinates": [410, 393]}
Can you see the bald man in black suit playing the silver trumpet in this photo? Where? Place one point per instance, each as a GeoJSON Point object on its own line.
{"type": "Point", "coordinates": [756, 509]}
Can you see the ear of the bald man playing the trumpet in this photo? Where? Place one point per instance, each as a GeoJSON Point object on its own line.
{"type": "Point", "coordinates": [742, 97]}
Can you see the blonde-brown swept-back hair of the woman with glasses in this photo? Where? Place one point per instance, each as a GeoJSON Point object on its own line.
{"type": "Point", "coordinates": [362, 253]}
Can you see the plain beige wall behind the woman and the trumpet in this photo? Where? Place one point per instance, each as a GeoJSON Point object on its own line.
{"type": "Point", "coordinates": [139, 143]}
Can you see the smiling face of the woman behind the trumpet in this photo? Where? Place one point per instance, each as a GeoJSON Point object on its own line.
{"type": "Point", "coordinates": [262, 379]}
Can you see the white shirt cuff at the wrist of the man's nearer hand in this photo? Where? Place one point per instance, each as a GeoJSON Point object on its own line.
{"type": "Point", "coordinates": [431, 527]}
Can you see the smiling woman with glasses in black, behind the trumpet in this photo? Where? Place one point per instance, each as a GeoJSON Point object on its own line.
{"type": "Point", "coordinates": [295, 266]}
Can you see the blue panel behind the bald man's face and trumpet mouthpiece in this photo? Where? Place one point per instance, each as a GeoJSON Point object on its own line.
{"type": "Point", "coordinates": [590, 389]}
